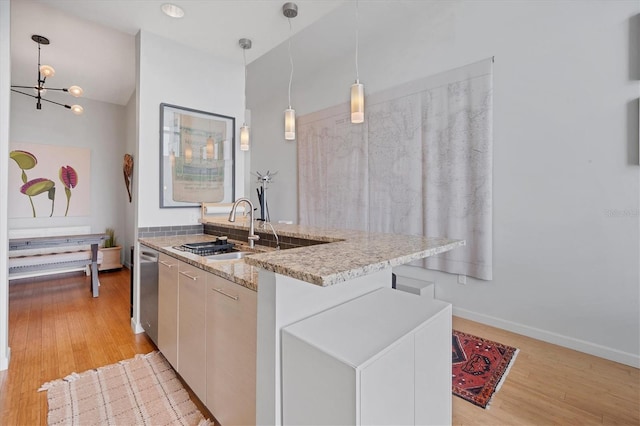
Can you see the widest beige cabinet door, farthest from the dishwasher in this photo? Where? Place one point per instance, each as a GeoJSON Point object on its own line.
{"type": "Point", "coordinates": [231, 352]}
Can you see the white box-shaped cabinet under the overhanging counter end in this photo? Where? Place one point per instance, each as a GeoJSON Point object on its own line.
{"type": "Point", "coordinates": [382, 358]}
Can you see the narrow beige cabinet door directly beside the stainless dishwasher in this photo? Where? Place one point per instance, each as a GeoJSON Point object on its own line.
{"type": "Point", "coordinates": [168, 308]}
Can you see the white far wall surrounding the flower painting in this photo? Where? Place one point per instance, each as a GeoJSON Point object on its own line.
{"type": "Point", "coordinates": [102, 130]}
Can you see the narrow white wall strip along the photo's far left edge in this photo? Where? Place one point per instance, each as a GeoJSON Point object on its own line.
{"type": "Point", "coordinates": [5, 105]}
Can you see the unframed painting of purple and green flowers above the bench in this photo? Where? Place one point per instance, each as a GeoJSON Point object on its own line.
{"type": "Point", "coordinates": [39, 172]}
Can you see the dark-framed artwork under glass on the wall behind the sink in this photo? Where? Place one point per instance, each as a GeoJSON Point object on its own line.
{"type": "Point", "coordinates": [197, 157]}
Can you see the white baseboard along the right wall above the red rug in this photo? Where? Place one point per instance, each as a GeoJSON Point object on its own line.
{"type": "Point", "coordinates": [549, 337]}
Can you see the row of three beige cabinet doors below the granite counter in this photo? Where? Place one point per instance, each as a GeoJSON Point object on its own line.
{"type": "Point", "coordinates": [207, 332]}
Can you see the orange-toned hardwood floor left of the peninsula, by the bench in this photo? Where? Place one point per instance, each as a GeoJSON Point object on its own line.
{"type": "Point", "coordinates": [56, 328]}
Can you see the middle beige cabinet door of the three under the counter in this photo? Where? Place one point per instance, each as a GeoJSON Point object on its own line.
{"type": "Point", "coordinates": [192, 293]}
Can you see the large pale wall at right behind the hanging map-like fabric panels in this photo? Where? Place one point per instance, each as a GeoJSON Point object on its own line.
{"type": "Point", "coordinates": [566, 174]}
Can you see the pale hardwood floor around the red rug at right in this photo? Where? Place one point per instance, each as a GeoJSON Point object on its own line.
{"type": "Point", "coordinates": [552, 385]}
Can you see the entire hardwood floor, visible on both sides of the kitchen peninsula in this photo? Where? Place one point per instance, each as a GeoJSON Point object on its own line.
{"type": "Point", "coordinates": [56, 327]}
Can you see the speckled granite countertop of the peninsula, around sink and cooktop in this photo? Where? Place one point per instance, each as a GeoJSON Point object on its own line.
{"type": "Point", "coordinates": [348, 254]}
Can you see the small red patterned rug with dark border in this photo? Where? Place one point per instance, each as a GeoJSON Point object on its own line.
{"type": "Point", "coordinates": [479, 367]}
